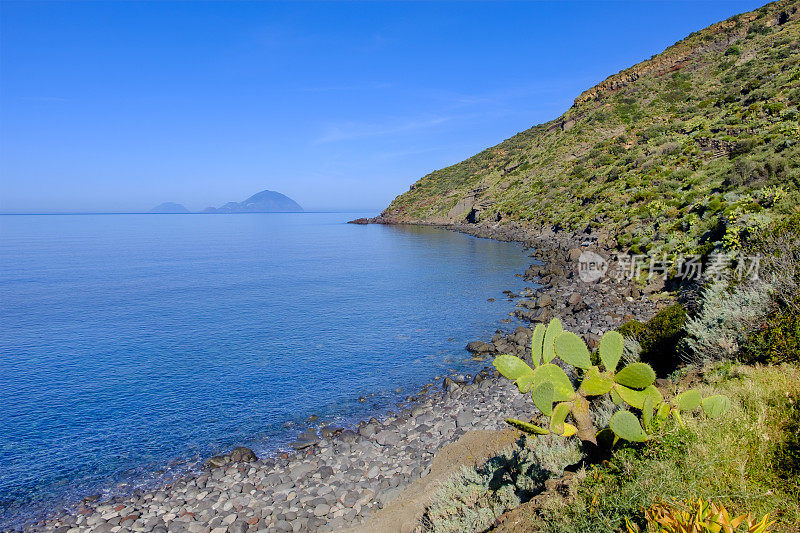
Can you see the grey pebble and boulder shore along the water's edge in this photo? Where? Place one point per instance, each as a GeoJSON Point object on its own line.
{"type": "Point", "coordinates": [340, 477]}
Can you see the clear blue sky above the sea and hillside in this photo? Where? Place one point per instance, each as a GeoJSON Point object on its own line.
{"type": "Point", "coordinates": [119, 106]}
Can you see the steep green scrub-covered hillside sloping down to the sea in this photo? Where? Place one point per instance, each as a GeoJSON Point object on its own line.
{"type": "Point", "coordinates": [658, 153]}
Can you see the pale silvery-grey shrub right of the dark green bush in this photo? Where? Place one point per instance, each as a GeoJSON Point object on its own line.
{"type": "Point", "coordinates": [726, 320]}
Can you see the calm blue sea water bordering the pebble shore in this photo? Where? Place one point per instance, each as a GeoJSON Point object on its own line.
{"type": "Point", "coordinates": [131, 344]}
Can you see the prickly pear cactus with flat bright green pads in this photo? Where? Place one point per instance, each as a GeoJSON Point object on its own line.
{"type": "Point", "coordinates": [554, 395]}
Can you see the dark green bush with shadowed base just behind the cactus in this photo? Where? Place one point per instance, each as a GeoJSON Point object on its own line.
{"type": "Point", "coordinates": [659, 337]}
